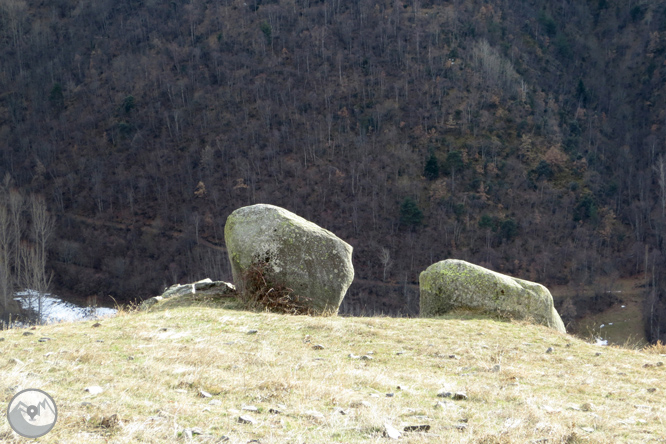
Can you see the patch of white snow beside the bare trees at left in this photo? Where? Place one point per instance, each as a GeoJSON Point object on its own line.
{"type": "Point", "coordinates": [56, 310]}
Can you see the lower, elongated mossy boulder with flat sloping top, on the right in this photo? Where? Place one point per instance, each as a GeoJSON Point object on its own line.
{"type": "Point", "coordinates": [455, 284]}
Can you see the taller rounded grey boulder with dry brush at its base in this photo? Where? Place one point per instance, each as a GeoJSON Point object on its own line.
{"type": "Point", "coordinates": [293, 252]}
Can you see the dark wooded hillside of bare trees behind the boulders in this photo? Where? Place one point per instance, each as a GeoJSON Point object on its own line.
{"type": "Point", "coordinates": [526, 136]}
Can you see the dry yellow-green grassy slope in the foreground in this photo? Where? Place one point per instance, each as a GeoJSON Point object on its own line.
{"type": "Point", "coordinates": [154, 366]}
